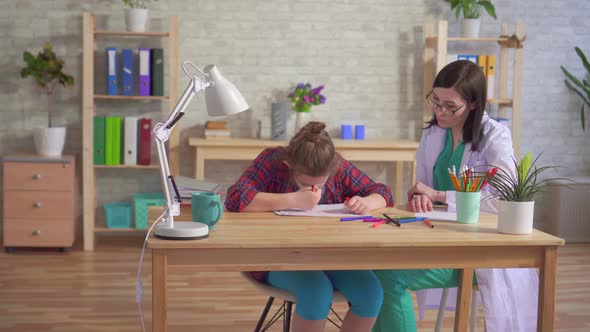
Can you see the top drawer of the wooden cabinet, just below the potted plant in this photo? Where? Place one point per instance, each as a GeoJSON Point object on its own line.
{"type": "Point", "coordinates": [39, 176]}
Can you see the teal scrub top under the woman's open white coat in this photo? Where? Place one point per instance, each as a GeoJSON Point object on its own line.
{"type": "Point", "coordinates": [446, 160]}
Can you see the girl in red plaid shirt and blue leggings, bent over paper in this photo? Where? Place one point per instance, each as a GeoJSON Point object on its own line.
{"type": "Point", "coordinates": [305, 173]}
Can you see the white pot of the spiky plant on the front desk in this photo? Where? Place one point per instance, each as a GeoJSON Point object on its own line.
{"type": "Point", "coordinates": [515, 217]}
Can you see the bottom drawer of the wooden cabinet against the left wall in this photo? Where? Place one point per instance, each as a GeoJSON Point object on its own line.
{"type": "Point", "coordinates": [35, 233]}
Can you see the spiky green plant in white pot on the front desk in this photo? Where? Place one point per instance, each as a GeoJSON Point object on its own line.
{"type": "Point", "coordinates": [516, 195]}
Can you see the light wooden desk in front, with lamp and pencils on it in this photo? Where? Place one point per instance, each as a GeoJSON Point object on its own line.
{"type": "Point", "coordinates": [264, 241]}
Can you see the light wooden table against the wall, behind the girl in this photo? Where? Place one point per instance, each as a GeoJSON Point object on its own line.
{"type": "Point", "coordinates": [397, 151]}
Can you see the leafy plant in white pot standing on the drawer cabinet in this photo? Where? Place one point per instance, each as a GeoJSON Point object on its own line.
{"type": "Point", "coordinates": [47, 71]}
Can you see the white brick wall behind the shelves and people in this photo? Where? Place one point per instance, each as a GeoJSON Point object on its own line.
{"type": "Point", "coordinates": [368, 54]}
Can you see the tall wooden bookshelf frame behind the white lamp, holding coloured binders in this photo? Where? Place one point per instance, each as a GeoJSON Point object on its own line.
{"type": "Point", "coordinates": [89, 105]}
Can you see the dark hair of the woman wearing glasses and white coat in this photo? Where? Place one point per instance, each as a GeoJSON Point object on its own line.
{"type": "Point", "coordinates": [468, 80]}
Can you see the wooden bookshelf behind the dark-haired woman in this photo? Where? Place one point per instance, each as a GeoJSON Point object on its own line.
{"type": "Point", "coordinates": [435, 58]}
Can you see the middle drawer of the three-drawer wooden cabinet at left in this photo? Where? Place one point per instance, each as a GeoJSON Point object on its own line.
{"type": "Point", "coordinates": [38, 205]}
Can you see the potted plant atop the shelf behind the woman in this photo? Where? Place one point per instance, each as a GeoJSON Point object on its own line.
{"type": "Point", "coordinates": [471, 11]}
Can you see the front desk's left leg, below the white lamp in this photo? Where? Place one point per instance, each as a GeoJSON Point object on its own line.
{"type": "Point", "coordinates": [159, 291]}
